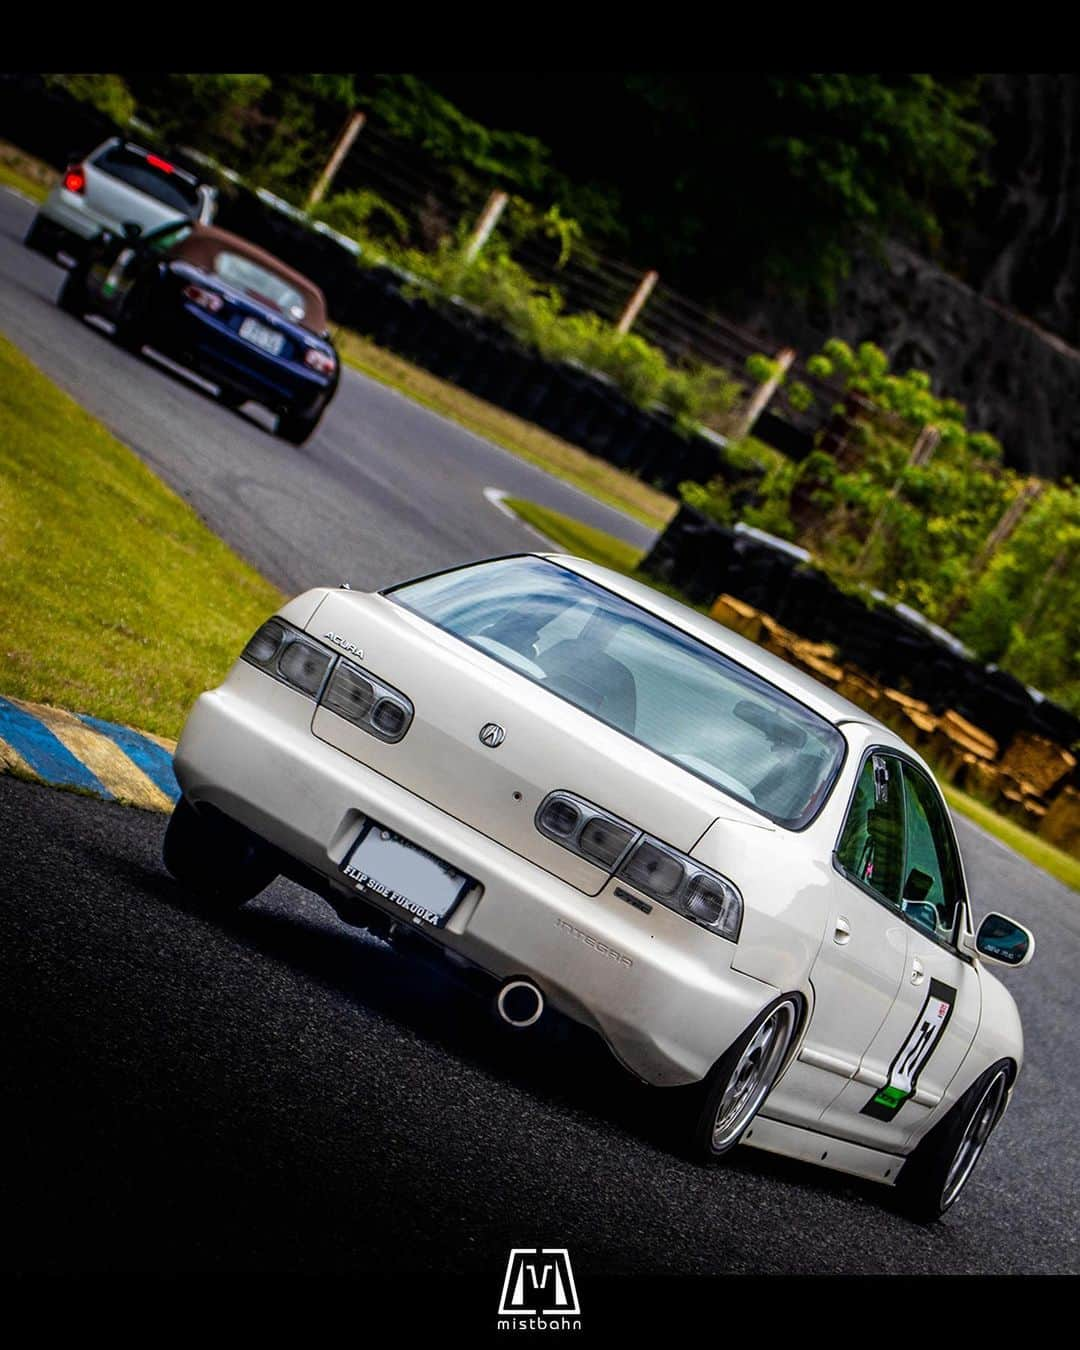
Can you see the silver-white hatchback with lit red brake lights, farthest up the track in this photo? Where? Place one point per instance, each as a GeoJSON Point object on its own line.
{"type": "Point", "coordinates": [118, 184]}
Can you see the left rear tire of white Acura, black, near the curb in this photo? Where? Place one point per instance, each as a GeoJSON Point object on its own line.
{"type": "Point", "coordinates": [217, 859]}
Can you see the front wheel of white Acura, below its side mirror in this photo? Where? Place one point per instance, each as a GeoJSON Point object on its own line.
{"type": "Point", "coordinates": [938, 1171]}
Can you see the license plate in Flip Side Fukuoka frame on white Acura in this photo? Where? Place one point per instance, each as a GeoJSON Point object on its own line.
{"type": "Point", "coordinates": [408, 877]}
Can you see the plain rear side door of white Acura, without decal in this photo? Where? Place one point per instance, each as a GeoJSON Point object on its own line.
{"type": "Point", "coordinates": [865, 954]}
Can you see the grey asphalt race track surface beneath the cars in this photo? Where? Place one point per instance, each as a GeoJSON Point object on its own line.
{"type": "Point", "coordinates": [276, 1091]}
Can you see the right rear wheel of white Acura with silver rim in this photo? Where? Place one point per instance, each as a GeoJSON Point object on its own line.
{"type": "Point", "coordinates": [742, 1079]}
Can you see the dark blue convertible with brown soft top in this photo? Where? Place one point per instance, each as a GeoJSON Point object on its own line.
{"type": "Point", "coordinates": [219, 306]}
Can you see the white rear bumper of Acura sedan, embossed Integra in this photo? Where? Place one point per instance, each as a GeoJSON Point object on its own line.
{"type": "Point", "coordinates": [659, 990]}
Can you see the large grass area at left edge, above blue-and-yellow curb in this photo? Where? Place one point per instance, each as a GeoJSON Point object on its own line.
{"type": "Point", "coordinates": [115, 599]}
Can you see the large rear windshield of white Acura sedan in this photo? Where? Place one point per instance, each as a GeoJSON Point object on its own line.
{"type": "Point", "coordinates": [642, 676]}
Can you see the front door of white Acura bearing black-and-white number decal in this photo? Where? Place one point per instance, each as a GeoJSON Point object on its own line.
{"type": "Point", "coordinates": [934, 1021]}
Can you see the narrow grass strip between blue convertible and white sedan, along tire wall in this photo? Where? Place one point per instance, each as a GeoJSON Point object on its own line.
{"type": "Point", "coordinates": [522, 438]}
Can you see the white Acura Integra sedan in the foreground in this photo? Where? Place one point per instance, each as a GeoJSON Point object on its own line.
{"type": "Point", "coordinates": [591, 796]}
